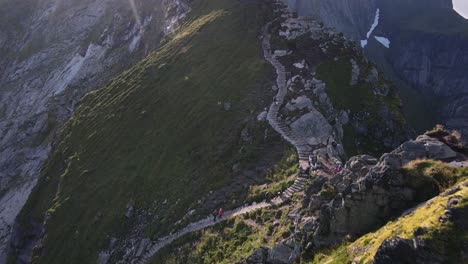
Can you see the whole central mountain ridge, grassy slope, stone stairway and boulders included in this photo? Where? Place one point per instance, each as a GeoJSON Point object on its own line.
{"type": "Point", "coordinates": [184, 131]}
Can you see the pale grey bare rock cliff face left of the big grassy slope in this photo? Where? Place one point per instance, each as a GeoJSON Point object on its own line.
{"type": "Point", "coordinates": [53, 52]}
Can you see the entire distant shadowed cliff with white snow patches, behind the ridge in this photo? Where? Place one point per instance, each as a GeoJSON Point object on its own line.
{"type": "Point", "coordinates": [427, 47]}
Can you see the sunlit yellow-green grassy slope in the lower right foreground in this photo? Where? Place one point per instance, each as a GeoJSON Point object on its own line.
{"type": "Point", "coordinates": [426, 215]}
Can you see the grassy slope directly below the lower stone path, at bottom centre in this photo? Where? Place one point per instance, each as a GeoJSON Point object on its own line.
{"type": "Point", "coordinates": [230, 241]}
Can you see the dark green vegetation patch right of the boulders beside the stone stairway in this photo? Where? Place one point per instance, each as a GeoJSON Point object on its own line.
{"type": "Point", "coordinates": [366, 131]}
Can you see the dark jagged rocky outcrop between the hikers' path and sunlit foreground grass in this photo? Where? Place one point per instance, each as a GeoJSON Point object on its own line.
{"type": "Point", "coordinates": [367, 193]}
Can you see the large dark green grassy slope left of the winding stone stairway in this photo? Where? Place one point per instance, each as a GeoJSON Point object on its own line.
{"type": "Point", "coordinates": [156, 132]}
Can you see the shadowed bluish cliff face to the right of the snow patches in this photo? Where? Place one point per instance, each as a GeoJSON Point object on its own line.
{"type": "Point", "coordinates": [429, 51]}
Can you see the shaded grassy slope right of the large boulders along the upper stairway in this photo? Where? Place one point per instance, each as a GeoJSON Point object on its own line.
{"type": "Point", "coordinates": [362, 102]}
